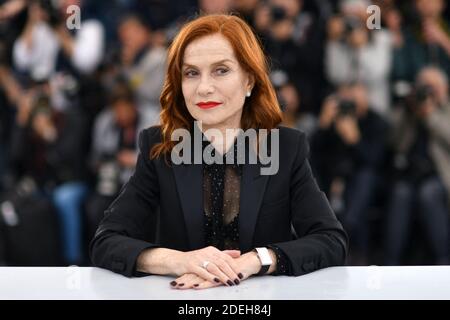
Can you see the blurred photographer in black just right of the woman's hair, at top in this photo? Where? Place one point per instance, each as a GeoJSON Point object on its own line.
{"type": "Point", "coordinates": [293, 38]}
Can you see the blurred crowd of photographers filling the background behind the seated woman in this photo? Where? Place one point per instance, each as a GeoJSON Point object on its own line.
{"type": "Point", "coordinates": [373, 102]}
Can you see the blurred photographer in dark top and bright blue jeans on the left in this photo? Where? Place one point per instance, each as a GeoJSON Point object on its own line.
{"type": "Point", "coordinates": [49, 147]}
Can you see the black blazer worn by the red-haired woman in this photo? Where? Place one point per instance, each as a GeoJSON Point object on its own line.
{"type": "Point", "coordinates": [162, 206]}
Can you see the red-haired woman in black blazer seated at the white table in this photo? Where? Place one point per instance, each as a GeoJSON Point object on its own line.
{"type": "Point", "coordinates": [219, 224]}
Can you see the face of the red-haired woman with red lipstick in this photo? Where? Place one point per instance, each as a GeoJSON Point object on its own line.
{"type": "Point", "coordinates": [213, 82]}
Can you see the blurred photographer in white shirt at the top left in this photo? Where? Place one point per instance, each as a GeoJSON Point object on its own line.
{"type": "Point", "coordinates": [37, 50]}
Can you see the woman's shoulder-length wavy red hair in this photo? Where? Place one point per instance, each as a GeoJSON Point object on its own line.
{"type": "Point", "coordinates": [261, 110]}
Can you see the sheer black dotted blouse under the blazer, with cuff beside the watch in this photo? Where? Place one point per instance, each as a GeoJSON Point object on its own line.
{"type": "Point", "coordinates": [221, 197]}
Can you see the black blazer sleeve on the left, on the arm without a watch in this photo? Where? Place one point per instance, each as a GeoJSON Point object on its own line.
{"type": "Point", "coordinates": [130, 219]}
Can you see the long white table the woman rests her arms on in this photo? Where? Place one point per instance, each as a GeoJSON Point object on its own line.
{"type": "Point", "coordinates": [406, 282]}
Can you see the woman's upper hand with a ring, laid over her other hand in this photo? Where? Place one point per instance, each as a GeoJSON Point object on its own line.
{"type": "Point", "coordinates": [209, 263]}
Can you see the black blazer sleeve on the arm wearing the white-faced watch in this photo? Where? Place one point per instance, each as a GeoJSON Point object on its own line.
{"type": "Point", "coordinates": [321, 240]}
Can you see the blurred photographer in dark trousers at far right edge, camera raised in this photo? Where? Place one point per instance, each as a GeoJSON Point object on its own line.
{"type": "Point", "coordinates": [421, 146]}
